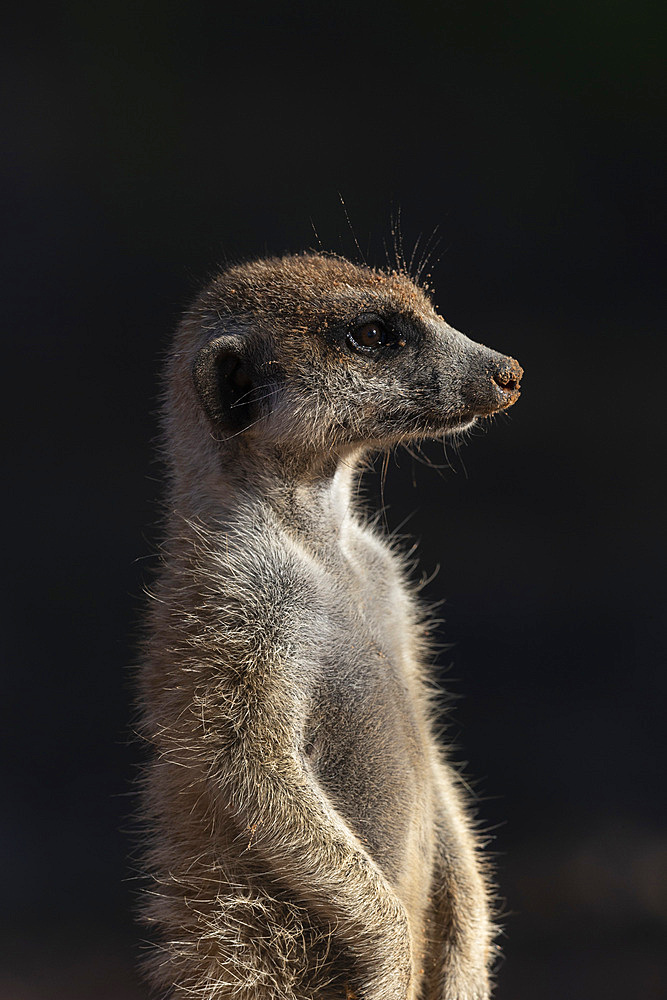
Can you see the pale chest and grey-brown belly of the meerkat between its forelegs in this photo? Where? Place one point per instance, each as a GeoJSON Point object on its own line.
{"type": "Point", "coordinates": [366, 731]}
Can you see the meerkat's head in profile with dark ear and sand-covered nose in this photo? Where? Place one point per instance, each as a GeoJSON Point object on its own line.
{"type": "Point", "coordinates": [316, 352]}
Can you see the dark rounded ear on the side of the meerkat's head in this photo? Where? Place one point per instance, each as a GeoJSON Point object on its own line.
{"type": "Point", "coordinates": [222, 376]}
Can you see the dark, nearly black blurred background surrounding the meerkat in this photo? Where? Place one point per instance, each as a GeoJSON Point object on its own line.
{"type": "Point", "coordinates": [146, 144]}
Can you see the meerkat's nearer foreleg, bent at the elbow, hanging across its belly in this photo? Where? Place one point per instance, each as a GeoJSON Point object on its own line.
{"type": "Point", "coordinates": [305, 842]}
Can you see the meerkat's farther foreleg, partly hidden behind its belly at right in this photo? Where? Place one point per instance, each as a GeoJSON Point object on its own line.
{"type": "Point", "coordinates": [459, 928]}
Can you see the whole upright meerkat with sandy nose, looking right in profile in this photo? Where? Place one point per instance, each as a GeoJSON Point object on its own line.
{"type": "Point", "coordinates": [309, 839]}
